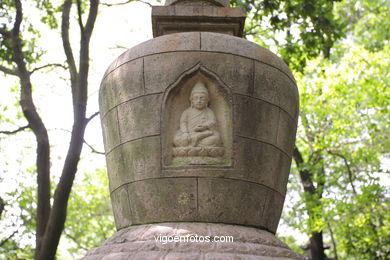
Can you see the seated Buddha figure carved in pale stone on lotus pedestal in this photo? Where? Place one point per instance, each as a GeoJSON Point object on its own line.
{"type": "Point", "coordinates": [198, 133]}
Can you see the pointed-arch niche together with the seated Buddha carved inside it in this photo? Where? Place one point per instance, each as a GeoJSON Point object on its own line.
{"type": "Point", "coordinates": [196, 121]}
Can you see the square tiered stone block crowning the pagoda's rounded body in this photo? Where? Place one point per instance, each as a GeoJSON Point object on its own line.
{"type": "Point", "coordinates": [197, 16]}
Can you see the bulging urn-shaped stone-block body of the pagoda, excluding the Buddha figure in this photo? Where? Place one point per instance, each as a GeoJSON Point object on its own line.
{"type": "Point", "coordinates": [255, 105]}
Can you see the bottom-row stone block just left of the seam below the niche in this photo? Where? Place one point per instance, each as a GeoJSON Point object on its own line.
{"type": "Point", "coordinates": [159, 200]}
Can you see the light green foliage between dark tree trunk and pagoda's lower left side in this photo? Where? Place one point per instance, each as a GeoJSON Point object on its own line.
{"type": "Point", "coordinates": [90, 221]}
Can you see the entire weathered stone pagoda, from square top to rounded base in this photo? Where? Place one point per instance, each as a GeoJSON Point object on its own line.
{"type": "Point", "coordinates": [199, 128]}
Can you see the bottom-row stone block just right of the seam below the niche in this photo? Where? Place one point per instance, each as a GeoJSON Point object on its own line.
{"type": "Point", "coordinates": [245, 205]}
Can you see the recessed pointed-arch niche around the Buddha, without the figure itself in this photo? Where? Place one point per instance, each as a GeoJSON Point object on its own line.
{"type": "Point", "coordinates": [177, 100]}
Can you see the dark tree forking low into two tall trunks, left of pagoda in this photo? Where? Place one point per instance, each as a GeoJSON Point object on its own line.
{"type": "Point", "coordinates": [19, 62]}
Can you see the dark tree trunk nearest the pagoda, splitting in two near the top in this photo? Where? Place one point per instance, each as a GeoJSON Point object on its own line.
{"type": "Point", "coordinates": [79, 86]}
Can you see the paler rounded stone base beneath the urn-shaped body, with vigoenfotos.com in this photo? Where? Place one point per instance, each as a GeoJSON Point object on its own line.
{"type": "Point", "coordinates": [141, 242]}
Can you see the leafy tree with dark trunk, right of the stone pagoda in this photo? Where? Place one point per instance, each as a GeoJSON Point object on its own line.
{"type": "Point", "coordinates": [331, 121]}
